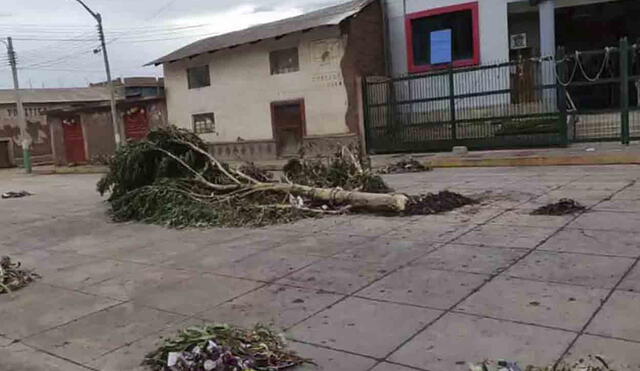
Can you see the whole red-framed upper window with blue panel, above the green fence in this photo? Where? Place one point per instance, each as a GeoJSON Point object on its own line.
{"type": "Point", "coordinates": [439, 37]}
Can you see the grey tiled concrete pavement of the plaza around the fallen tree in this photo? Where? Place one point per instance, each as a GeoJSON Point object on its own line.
{"type": "Point", "coordinates": [352, 292]}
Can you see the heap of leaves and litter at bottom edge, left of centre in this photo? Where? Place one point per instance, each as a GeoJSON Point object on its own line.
{"type": "Point", "coordinates": [224, 348]}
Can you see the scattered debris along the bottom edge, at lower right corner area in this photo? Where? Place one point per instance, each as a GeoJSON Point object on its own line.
{"type": "Point", "coordinates": [589, 363]}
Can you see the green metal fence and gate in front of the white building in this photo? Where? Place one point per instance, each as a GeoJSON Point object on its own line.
{"type": "Point", "coordinates": [521, 103]}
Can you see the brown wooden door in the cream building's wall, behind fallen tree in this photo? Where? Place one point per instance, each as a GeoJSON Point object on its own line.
{"type": "Point", "coordinates": [288, 126]}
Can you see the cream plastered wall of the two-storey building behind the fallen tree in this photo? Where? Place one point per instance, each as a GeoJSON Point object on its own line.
{"type": "Point", "coordinates": [242, 87]}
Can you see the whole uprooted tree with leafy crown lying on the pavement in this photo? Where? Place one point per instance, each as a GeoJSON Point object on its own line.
{"type": "Point", "coordinates": [170, 178]}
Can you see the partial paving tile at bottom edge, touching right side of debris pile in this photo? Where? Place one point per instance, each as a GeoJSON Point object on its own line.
{"type": "Point", "coordinates": [330, 360]}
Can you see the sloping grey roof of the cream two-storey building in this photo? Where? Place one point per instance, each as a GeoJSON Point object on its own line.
{"type": "Point", "coordinates": [324, 17]}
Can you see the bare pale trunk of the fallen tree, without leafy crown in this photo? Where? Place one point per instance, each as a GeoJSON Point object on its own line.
{"type": "Point", "coordinates": [358, 200]}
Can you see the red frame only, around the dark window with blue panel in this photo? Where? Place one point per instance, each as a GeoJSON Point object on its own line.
{"type": "Point", "coordinates": [473, 7]}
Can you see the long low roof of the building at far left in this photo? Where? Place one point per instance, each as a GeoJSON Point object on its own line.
{"type": "Point", "coordinates": [61, 95]}
